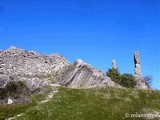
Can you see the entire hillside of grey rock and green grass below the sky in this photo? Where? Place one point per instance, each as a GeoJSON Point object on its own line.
{"type": "Point", "coordinates": [34, 86]}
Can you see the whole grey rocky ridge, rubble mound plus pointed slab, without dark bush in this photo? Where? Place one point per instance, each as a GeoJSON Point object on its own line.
{"type": "Point", "coordinates": [39, 71]}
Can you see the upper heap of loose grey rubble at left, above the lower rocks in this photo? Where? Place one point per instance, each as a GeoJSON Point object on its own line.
{"type": "Point", "coordinates": [18, 62]}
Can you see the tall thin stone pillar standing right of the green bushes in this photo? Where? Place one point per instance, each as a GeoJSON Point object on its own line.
{"type": "Point", "coordinates": [138, 74]}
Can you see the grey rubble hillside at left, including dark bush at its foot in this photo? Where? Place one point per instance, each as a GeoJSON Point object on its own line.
{"type": "Point", "coordinates": [31, 69]}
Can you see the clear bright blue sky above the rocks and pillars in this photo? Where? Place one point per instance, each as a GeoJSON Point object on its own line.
{"type": "Point", "coordinates": [96, 31]}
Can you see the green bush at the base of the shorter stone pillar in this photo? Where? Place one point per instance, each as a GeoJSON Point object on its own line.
{"type": "Point", "coordinates": [114, 75]}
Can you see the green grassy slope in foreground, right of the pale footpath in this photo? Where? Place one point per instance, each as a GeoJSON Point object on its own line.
{"type": "Point", "coordinates": [95, 104]}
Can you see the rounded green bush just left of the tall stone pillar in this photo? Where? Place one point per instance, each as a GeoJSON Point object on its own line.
{"type": "Point", "coordinates": [128, 80]}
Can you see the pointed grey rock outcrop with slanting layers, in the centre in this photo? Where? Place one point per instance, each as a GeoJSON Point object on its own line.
{"type": "Point", "coordinates": [80, 74]}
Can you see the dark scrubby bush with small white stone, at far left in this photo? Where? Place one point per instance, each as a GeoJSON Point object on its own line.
{"type": "Point", "coordinates": [14, 92]}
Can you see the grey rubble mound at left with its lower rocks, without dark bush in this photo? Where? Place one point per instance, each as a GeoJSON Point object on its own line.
{"type": "Point", "coordinates": [31, 68]}
